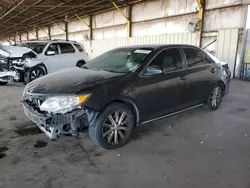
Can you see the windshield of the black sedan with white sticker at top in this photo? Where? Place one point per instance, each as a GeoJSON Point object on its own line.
{"type": "Point", "coordinates": [121, 60]}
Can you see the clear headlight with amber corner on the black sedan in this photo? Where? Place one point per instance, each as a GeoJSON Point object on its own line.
{"type": "Point", "coordinates": [62, 104]}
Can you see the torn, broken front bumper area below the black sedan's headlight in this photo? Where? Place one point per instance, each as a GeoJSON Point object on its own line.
{"type": "Point", "coordinates": [54, 125]}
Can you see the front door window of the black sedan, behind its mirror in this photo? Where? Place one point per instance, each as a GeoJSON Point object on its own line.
{"type": "Point", "coordinates": [169, 60]}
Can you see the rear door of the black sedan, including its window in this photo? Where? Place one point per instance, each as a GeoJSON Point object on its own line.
{"type": "Point", "coordinates": [201, 73]}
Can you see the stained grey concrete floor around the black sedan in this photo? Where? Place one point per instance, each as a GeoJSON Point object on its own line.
{"type": "Point", "coordinates": [196, 149]}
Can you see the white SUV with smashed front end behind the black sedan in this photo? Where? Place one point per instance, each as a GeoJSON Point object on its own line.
{"type": "Point", "coordinates": [33, 59]}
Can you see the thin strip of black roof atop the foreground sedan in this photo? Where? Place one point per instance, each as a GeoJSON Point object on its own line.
{"type": "Point", "coordinates": [160, 46]}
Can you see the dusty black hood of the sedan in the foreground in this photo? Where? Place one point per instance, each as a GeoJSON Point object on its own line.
{"type": "Point", "coordinates": [70, 81]}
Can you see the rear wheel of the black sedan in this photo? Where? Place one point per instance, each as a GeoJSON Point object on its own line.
{"type": "Point", "coordinates": [215, 97]}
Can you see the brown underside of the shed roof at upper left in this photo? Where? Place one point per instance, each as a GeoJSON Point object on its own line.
{"type": "Point", "coordinates": [18, 16]}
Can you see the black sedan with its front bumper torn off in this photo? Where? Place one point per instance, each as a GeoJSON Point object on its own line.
{"type": "Point", "coordinates": [123, 88]}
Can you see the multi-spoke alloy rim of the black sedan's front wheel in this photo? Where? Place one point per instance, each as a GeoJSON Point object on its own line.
{"type": "Point", "coordinates": [115, 129]}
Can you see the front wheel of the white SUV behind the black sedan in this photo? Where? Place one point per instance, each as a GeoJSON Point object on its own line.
{"type": "Point", "coordinates": [33, 73]}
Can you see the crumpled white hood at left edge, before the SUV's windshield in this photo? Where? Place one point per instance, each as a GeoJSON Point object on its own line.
{"type": "Point", "coordinates": [13, 51]}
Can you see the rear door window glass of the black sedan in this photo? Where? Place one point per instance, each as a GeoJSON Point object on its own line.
{"type": "Point", "coordinates": [195, 57]}
